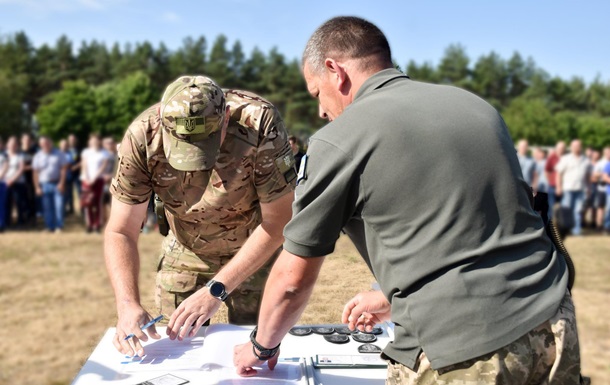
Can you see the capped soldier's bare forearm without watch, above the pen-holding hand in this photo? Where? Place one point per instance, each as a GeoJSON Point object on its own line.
{"type": "Point", "coordinates": [123, 265]}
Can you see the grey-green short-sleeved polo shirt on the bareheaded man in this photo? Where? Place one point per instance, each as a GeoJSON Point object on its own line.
{"type": "Point", "coordinates": [425, 181]}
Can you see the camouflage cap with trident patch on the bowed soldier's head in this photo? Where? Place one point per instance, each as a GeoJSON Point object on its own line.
{"type": "Point", "coordinates": [192, 113]}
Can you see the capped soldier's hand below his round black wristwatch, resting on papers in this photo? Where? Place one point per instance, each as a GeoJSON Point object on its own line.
{"type": "Point", "coordinates": [193, 311]}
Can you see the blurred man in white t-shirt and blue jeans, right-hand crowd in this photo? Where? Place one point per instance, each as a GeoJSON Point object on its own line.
{"type": "Point", "coordinates": [573, 172]}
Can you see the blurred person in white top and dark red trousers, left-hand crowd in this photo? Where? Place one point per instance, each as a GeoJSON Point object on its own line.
{"type": "Point", "coordinates": [94, 161]}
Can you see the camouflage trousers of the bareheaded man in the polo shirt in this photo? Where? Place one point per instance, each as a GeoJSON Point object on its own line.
{"type": "Point", "coordinates": [548, 354]}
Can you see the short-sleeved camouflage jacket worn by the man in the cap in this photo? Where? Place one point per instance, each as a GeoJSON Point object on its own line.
{"type": "Point", "coordinates": [211, 212]}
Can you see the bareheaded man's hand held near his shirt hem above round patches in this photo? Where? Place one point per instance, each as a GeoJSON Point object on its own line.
{"type": "Point", "coordinates": [366, 310]}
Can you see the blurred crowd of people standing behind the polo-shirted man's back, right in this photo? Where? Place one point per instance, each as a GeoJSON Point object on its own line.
{"type": "Point", "coordinates": [577, 181]}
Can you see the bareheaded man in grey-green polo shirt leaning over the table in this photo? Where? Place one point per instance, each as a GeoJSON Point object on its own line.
{"type": "Point", "coordinates": [476, 290]}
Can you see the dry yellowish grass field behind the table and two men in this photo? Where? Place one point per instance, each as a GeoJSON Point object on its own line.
{"type": "Point", "coordinates": [56, 301]}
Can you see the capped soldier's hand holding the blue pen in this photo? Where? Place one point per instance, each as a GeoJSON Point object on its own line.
{"type": "Point", "coordinates": [130, 321]}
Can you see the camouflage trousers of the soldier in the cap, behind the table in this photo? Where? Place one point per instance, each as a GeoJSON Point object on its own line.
{"type": "Point", "coordinates": [181, 273]}
